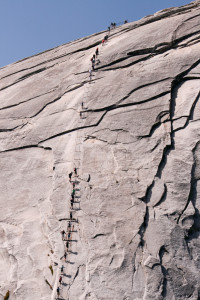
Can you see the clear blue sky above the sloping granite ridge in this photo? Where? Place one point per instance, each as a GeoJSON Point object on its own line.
{"type": "Point", "coordinates": [28, 27]}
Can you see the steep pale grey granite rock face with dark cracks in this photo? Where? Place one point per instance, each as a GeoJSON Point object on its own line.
{"type": "Point", "coordinates": [136, 223]}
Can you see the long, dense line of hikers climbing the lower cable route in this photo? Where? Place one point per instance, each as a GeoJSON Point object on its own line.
{"type": "Point", "coordinates": [67, 235]}
